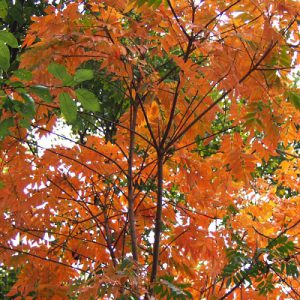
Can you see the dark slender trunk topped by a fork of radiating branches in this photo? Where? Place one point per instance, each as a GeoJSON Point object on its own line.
{"type": "Point", "coordinates": [158, 218]}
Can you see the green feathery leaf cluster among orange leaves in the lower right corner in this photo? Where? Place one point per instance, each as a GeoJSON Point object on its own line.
{"type": "Point", "coordinates": [244, 267]}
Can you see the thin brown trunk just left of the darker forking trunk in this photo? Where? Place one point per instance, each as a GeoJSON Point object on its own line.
{"type": "Point", "coordinates": [131, 214]}
